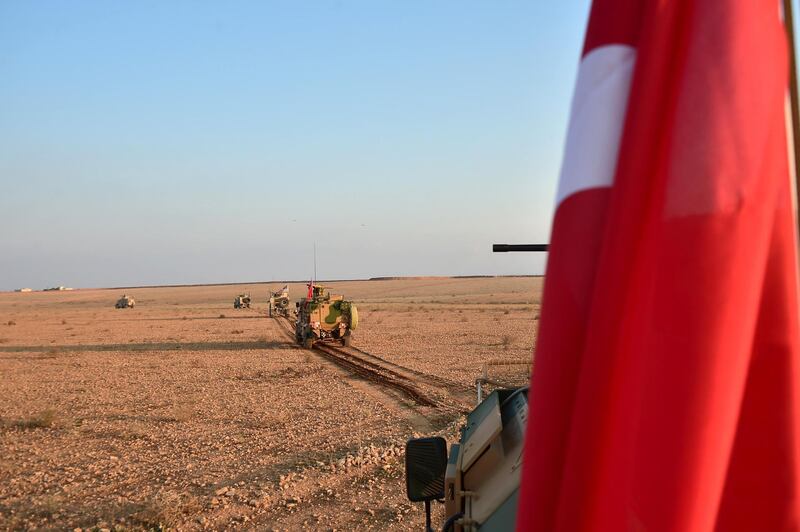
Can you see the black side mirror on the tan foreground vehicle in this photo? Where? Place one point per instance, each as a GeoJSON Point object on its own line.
{"type": "Point", "coordinates": [426, 462]}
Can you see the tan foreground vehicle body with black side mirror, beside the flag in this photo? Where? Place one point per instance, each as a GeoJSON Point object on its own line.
{"type": "Point", "coordinates": [479, 481]}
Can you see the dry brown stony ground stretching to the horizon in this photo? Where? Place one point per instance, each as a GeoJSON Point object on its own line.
{"type": "Point", "coordinates": [185, 413]}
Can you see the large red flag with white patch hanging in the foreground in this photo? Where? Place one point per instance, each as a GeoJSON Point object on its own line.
{"type": "Point", "coordinates": [665, 394]}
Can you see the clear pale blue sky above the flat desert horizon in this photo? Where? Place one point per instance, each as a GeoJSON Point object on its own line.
{"type": "Point", "coordinates": [178, 142]}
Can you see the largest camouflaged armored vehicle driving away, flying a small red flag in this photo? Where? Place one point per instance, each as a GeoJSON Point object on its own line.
{"type": "Point", "coordinates": [323, 316]}
